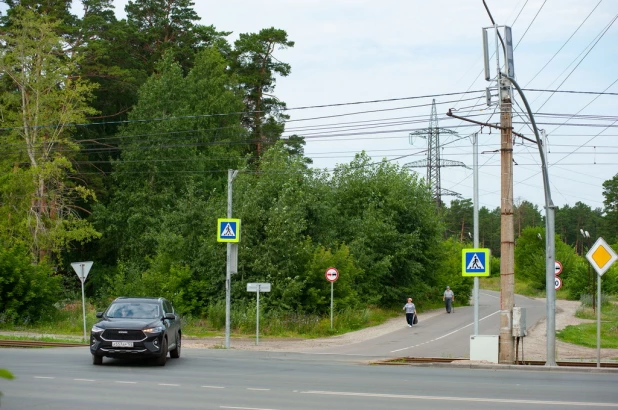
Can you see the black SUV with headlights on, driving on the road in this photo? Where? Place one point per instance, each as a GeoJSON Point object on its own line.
{"type": "Point", "coordinates": [136, 327]}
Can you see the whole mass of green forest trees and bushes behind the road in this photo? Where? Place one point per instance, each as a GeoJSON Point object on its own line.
{"type": "Point", "coordinates": [116, 138]}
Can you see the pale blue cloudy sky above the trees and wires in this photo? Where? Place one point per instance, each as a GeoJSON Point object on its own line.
{"type": "Point", "coordinates": [411, 52]}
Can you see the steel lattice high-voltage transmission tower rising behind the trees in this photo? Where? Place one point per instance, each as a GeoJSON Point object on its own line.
{"type": "Point", "coordinates": [433, 163]}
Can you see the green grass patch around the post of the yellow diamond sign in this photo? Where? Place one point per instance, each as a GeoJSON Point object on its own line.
{"type": "Point", "coordinates": [586, 333]}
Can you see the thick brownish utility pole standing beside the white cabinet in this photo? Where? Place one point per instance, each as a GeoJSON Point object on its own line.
{"type": "Point", "coordinates": [507, 238]}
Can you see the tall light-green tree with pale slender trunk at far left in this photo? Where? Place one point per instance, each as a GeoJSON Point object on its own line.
{"type": "Point", "coordinates": [43, 97]}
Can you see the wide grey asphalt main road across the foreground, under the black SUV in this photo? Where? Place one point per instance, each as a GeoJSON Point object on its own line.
{"type": "Point", "coordinates": [65, 379]}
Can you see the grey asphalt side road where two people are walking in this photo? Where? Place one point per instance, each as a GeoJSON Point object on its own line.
{"type": "Point", "coordinates": [441, 335]}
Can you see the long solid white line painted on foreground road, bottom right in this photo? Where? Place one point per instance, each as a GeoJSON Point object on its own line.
{"type": "Point", "coordinates": [470, 399]}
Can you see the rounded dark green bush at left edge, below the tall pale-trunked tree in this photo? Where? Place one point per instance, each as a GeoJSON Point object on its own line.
{"type": "Point", "coordinates": [27, 292]}
